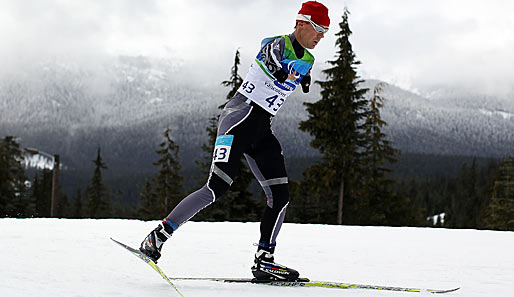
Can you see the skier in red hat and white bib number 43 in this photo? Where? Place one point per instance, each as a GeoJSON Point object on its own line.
{"type": "Point", "coordinates": [244, 128]}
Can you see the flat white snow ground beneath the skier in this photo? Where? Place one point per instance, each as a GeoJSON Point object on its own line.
{"type": "Point", "coordinates": [57, 257]}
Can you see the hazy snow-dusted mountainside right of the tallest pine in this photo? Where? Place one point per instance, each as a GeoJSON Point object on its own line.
{"type": "Point", "coordinates": [449, 122]}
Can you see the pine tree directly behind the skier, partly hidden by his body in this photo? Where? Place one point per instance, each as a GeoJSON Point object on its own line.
{"type": "Point", "coordinates": [237, 204]}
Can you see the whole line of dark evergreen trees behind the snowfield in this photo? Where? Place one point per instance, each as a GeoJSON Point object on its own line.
{"type": "Point", "coordinates": [351, 184]}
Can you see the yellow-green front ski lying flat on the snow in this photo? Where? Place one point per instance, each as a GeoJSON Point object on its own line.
{"type": "Point", "coordinates": [304, 282]}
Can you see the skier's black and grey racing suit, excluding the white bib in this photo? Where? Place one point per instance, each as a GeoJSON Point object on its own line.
{"type": "Point", "coordinates": [250, 126]}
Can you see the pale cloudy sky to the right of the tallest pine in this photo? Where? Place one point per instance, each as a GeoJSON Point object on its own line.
{"type": "Point", "coordinates": [419, 44]}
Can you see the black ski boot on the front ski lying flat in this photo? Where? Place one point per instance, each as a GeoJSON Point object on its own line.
{"type": "Point", "coordinates": [265, 267]}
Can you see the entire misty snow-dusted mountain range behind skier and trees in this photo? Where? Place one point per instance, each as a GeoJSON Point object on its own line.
{"type": "Point", "coordinates": [124, 105]}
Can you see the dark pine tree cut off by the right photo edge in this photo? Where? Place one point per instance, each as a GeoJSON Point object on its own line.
{"type": "Point", "coordinates": [500, 211]}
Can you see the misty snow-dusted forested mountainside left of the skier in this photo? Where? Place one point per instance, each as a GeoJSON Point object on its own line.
{"type": "Point", "coordinates": [122, 106]}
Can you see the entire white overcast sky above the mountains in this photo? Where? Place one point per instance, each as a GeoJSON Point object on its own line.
{"type": "Point", "coordinates": [415, 44]}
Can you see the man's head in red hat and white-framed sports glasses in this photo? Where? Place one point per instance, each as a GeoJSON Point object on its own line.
{"type": "Point", "coordinates": [312, 23]}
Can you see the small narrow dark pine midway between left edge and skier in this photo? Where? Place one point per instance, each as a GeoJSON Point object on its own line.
{"type": "Point", "coordinates": [96, 193]}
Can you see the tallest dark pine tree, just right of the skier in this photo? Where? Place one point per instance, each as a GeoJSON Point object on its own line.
{"type": "Point", "coordinates": [336, 123]}
